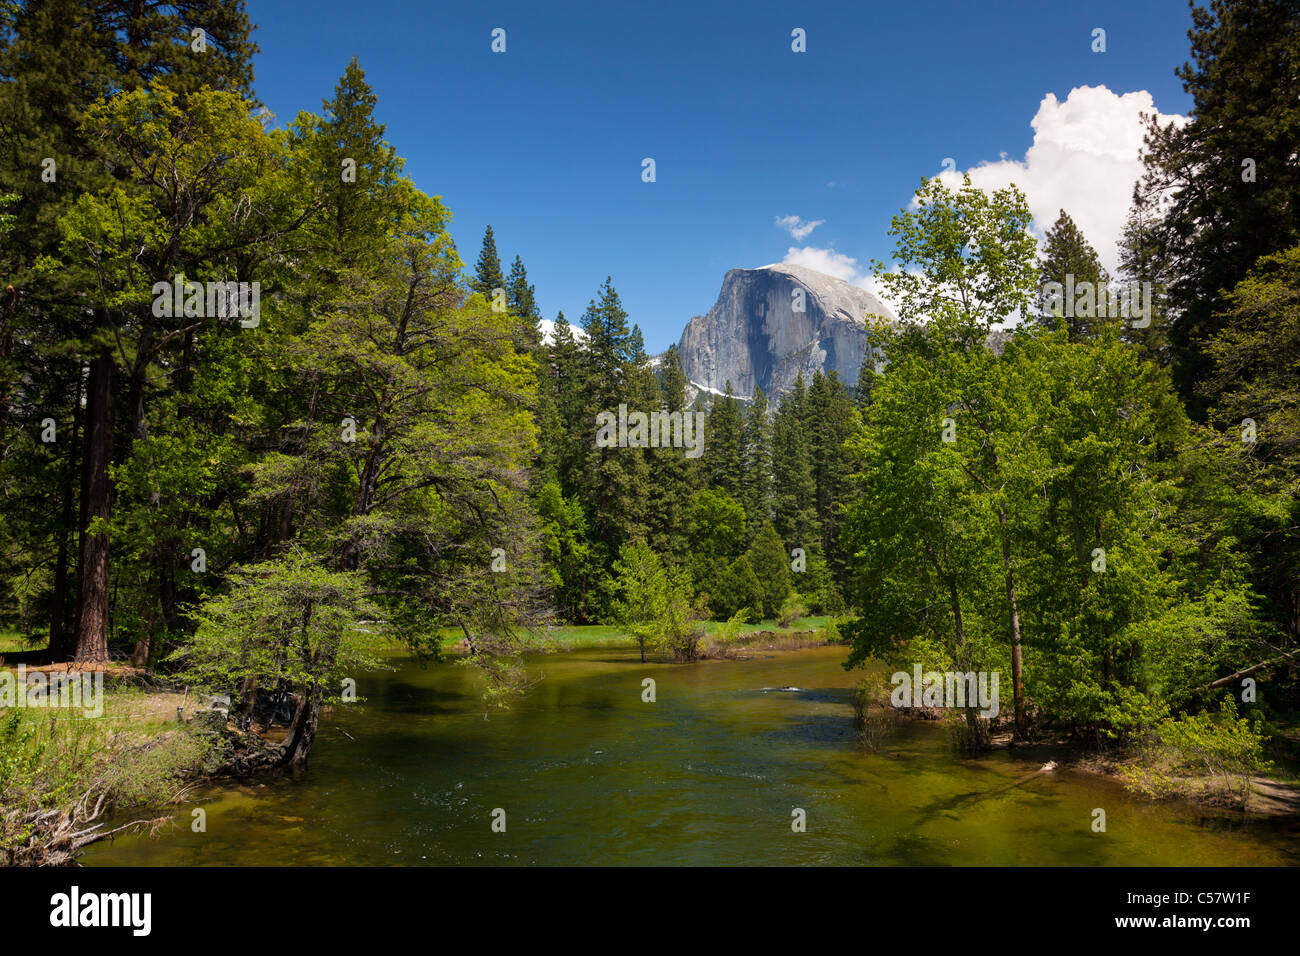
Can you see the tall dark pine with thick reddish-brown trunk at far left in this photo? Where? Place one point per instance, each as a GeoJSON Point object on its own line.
{"type": "Point", "coordinates": [58, 60]}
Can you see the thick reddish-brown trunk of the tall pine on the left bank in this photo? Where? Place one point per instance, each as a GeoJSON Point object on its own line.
{"type": "Point", "coordinates": [94, 556]}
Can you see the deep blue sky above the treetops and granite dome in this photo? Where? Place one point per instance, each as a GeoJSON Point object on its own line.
{"type": "Point", "coordinates": [545, 141]}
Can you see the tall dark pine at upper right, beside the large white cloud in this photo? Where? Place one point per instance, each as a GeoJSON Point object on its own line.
{"type": "Point", "coordinates": [1229, 175]}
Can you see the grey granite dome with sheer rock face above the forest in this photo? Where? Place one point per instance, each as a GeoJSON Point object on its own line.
{"type": "Point", "coordinates": [755, 335]}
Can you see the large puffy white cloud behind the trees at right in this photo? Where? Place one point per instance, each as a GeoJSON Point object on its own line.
{"type": "Point", "coordinates": [1085, 159]}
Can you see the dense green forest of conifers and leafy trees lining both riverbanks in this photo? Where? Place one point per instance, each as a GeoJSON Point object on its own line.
{"type": "Point", "coordinates": [369, 443]}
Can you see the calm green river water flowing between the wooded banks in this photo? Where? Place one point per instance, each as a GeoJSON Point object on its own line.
{"type": "Point", "coordinates": [587, 773]}
